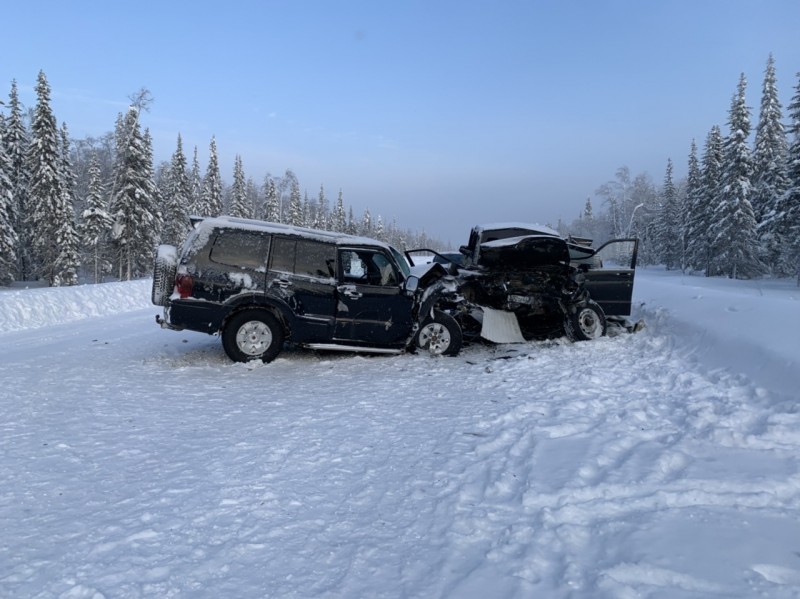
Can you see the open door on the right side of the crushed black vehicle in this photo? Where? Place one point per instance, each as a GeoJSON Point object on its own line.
{"type": "Point", "coordinates": [609, 276]}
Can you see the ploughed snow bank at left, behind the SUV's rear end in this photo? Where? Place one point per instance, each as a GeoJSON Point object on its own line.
{"type": "Point", "coordinates": [33, 308]}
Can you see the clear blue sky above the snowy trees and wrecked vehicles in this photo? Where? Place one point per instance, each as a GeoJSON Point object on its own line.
{"type": "Point", "coordinates": [440, 114]}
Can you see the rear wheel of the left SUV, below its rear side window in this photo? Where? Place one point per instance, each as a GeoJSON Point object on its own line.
{"type": "Point", "coordinates": [252, 335]}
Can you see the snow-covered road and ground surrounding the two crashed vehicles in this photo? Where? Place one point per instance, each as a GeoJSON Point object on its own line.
{"type": "Point", "coordinates": [138, 462]}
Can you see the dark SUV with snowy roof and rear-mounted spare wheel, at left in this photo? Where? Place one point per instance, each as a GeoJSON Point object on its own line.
{"type": "Point", "coordinates": [259, 284]}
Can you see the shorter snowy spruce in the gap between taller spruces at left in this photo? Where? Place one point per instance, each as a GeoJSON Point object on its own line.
{"type": "Point", "coordinates": [97, 223]}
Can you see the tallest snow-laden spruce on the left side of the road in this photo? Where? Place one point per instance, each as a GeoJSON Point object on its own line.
{"type": "Point", "coordinates": [44, 199]}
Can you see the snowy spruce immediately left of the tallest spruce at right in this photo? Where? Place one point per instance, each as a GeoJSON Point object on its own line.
{"type": "Point", "coordinates": [735, 242]}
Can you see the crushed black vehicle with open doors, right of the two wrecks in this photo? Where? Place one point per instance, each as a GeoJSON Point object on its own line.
{"type": "Point", "coordinates": [520, 282]}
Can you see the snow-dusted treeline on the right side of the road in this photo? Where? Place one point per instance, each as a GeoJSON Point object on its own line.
{"type": "Point", "coordinates": [737, 212]}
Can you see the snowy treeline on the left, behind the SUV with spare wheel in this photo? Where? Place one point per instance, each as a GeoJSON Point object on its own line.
{"type": "Point", "coordinates": [96, 208]}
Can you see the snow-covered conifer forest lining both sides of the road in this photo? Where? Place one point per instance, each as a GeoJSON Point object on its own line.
{"type": "Point", "coordinates": [95, 209]}
